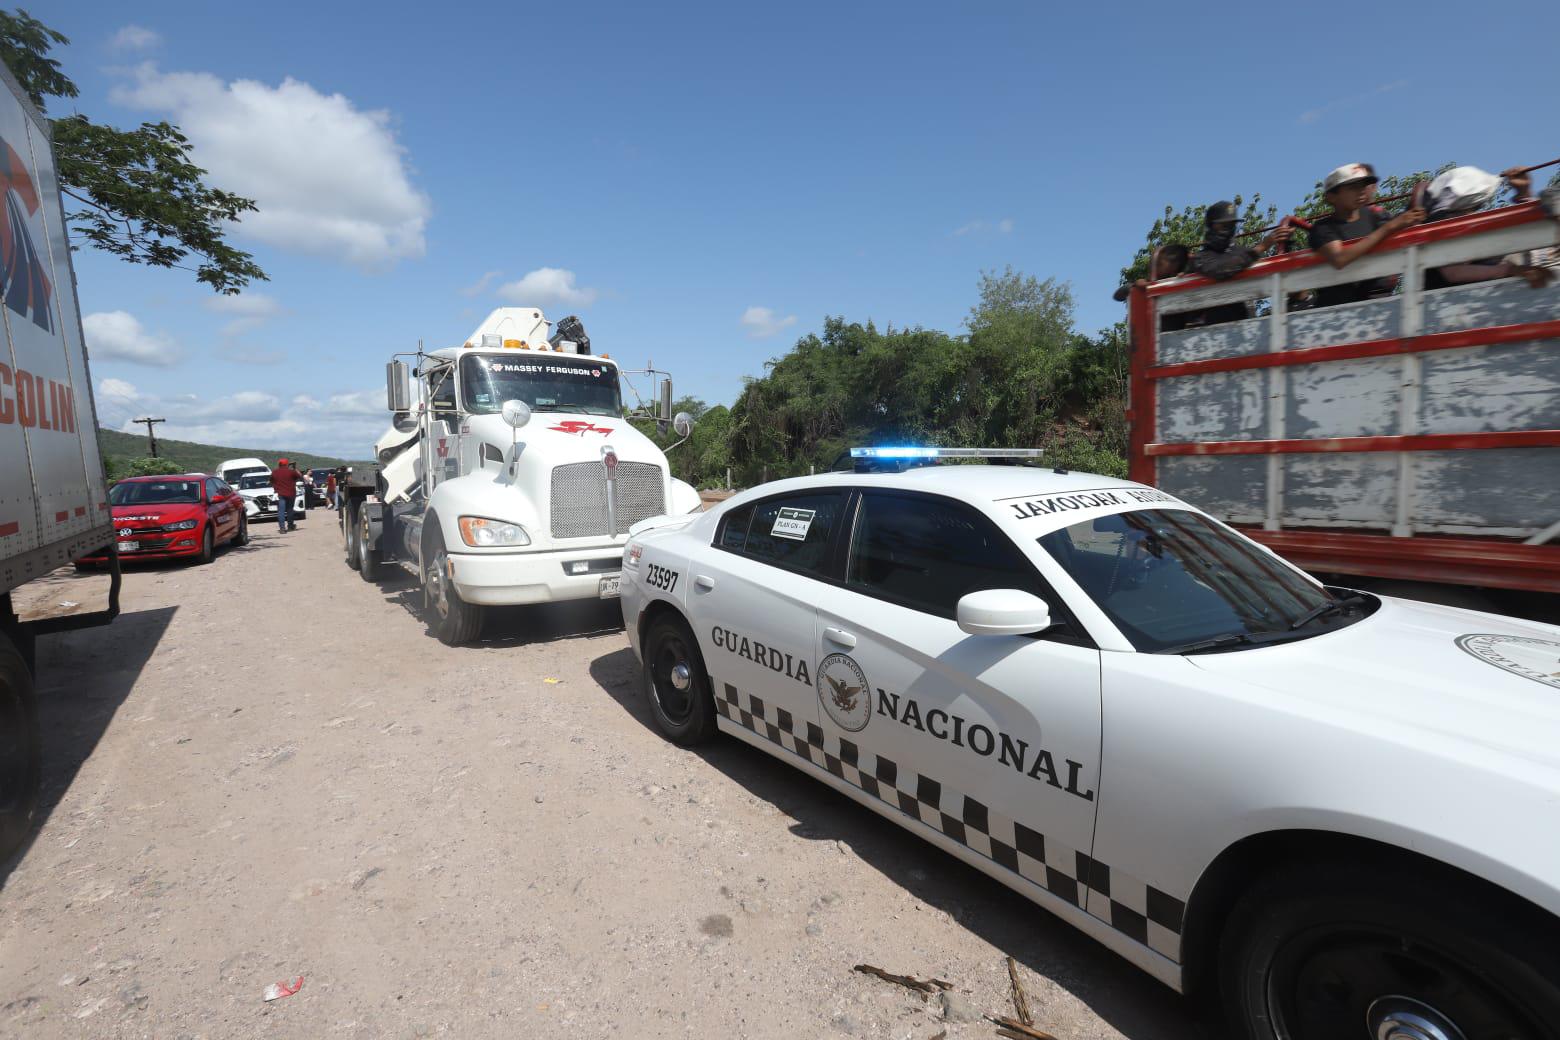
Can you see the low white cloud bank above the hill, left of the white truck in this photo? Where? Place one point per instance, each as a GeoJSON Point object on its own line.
{"type": "Point", "coordinates": [346, 425]}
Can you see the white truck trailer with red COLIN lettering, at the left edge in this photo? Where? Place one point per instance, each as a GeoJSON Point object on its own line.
{"type": "Point", "coordinates": [54, 497]}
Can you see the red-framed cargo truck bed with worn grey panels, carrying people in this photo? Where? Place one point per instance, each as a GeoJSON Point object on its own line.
{"type": "Point", "coordinates": [1416, 436]}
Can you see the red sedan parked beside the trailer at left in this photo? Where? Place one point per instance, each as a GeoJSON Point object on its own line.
{"type": "Point", "coordinates": [180, 517]}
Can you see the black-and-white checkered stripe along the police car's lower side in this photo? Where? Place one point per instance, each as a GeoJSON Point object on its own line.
{"type": "Point", "coordinates": [1129, 905]}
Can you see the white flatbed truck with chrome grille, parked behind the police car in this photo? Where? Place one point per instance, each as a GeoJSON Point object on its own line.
{"type": "Point", "coordinates": [509, 475]}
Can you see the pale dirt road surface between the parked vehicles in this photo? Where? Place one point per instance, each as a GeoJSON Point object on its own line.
{"type": "Point", "coordinates": [268, 769]}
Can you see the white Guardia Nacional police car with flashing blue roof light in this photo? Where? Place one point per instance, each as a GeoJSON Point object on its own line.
{"type": "Point", "coordinates": [1336, 813]}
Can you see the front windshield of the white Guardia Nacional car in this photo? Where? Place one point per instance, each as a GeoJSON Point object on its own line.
{"type": "Point", "coordinates": [1174, 582]}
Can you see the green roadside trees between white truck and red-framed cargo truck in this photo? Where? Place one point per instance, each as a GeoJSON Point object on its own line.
{"type": "Point", "coordinates": [1018, 375]}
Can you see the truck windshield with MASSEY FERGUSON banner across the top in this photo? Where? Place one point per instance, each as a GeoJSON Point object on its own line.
{"type": "Point", "coordinates": [548, 383]}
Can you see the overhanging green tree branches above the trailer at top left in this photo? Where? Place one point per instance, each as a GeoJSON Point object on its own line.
{"type": "Point", "coordinates": [138, 194]}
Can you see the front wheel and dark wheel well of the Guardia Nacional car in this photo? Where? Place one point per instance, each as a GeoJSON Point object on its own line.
{"type": "Point", "coordinates": [1336, 955]}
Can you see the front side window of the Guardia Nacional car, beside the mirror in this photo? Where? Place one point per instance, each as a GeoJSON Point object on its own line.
{"type": "Point", "coordinates": [927, 553]}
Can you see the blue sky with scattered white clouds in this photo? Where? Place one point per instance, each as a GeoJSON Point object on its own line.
{"type": "Point", "coordinates": [706, 183]}
